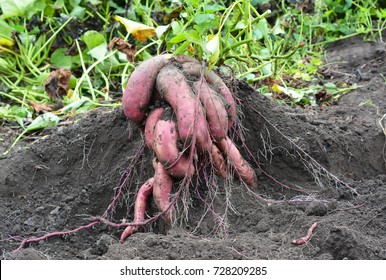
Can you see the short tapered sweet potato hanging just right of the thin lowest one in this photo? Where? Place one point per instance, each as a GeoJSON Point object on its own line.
{"type": "Point", "coordinates": [162, 188]}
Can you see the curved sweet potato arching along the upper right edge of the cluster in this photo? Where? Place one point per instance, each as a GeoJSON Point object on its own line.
{"type": "Point", "coordinates": [195, 70]}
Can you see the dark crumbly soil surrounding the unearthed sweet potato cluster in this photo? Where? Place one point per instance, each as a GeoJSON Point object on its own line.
{"type": "Point", "coordinates": [325, 166]}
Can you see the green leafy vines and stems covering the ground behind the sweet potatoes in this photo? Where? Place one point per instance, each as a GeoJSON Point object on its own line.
{"type": "Point", "coordinates": [279, 49]}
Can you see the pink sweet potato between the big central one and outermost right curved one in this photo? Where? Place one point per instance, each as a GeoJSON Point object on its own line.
{"type": "Point", "coordinates": [215, 112]}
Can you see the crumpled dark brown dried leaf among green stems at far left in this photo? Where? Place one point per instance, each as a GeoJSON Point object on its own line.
{"type": "Point", "coordinates": [57, 83]}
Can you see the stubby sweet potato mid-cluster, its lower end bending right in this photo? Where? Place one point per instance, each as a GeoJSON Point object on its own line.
{"type": "Point", "coordinates": [165, 147]}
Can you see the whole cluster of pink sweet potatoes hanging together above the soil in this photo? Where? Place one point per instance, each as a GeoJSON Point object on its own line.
{"type": "Point", "coordinates": [185, 112]}
